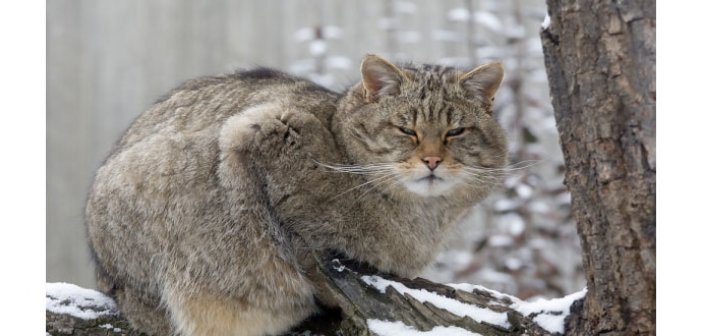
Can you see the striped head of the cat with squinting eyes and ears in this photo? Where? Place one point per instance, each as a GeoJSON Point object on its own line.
{"type": "Point", "coordinates": [427, 130]}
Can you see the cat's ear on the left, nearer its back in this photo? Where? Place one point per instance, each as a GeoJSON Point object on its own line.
{"type": "Point", "coordinates": [380, 77]}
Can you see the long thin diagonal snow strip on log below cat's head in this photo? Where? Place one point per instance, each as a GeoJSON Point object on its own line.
{"type": "Point", "coordinates": [453, 306]}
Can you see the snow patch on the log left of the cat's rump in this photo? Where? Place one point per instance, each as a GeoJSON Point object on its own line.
{"type": "Point", "coordinates": [87, 304]}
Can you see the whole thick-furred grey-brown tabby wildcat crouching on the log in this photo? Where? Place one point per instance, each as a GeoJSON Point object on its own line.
{"type": "Point", "coordinates": [202, 218]}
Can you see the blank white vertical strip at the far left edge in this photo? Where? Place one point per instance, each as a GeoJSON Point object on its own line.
{"type": "Point", "coordinates": [23, 166]}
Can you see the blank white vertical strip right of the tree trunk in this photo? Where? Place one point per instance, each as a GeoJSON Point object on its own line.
{"type": "Point", "coordinates": [679, 144]}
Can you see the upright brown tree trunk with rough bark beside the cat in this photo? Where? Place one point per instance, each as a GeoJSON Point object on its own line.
{"type": "Point", "coordinates": [600, 59]}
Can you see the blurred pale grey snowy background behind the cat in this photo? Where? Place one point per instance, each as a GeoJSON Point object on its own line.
{"type": "Point", "coordinates": [109, 60]}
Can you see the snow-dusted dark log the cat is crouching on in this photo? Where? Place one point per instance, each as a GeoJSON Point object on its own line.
{"type": "Point", "coordinates": [371, 303]}
